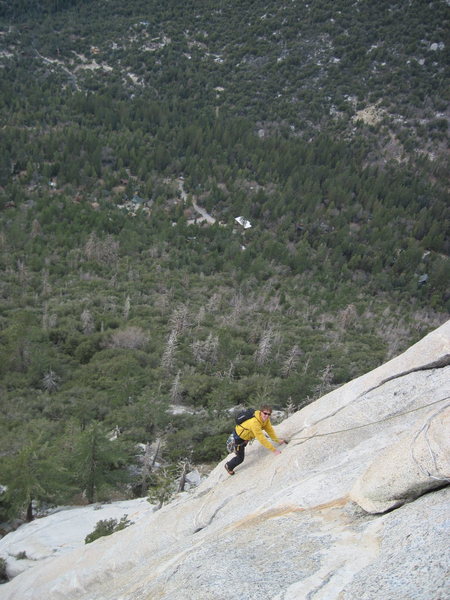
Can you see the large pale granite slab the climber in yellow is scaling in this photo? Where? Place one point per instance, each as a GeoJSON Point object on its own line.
{"type": "Point", "coordinates": [295, 526]}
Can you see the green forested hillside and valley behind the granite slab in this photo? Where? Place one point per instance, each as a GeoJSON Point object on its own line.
{"type": "Point", "coordinates": [323, 124]}
